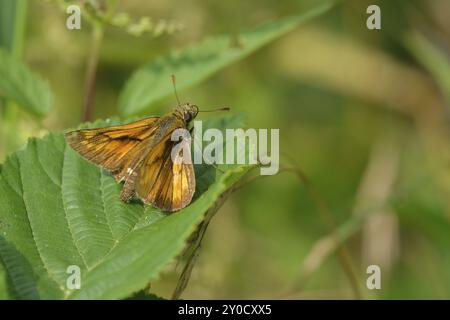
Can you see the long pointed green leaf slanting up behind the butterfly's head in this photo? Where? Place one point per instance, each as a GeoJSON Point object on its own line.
{"type": "Point", "coordinates": [195, 63]}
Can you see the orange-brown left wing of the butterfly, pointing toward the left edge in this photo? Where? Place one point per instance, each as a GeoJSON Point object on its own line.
{"type": "Point", "coordinates": [113, 147]}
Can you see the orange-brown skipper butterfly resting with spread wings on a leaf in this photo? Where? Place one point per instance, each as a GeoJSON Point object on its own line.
{"type": "Point", "coordinates": [140, 154]}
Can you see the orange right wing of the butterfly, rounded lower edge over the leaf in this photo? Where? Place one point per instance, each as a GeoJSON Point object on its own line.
{"type": "Point", "coordinates": [165, 183]}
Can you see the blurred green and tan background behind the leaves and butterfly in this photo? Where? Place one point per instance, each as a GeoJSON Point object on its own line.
{"type": "Point", "coordinates": [365, 113]}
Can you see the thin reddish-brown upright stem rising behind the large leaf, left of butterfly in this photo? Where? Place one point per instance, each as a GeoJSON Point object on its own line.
{"type": "Point", "coordinates": [91, 72]}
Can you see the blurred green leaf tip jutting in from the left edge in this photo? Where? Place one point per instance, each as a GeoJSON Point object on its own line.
{"type": "Point", "coordinates": [27, 89]}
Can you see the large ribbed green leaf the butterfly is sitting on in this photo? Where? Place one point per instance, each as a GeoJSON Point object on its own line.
{"type": "Point", "coordinates": [58, 210]}
